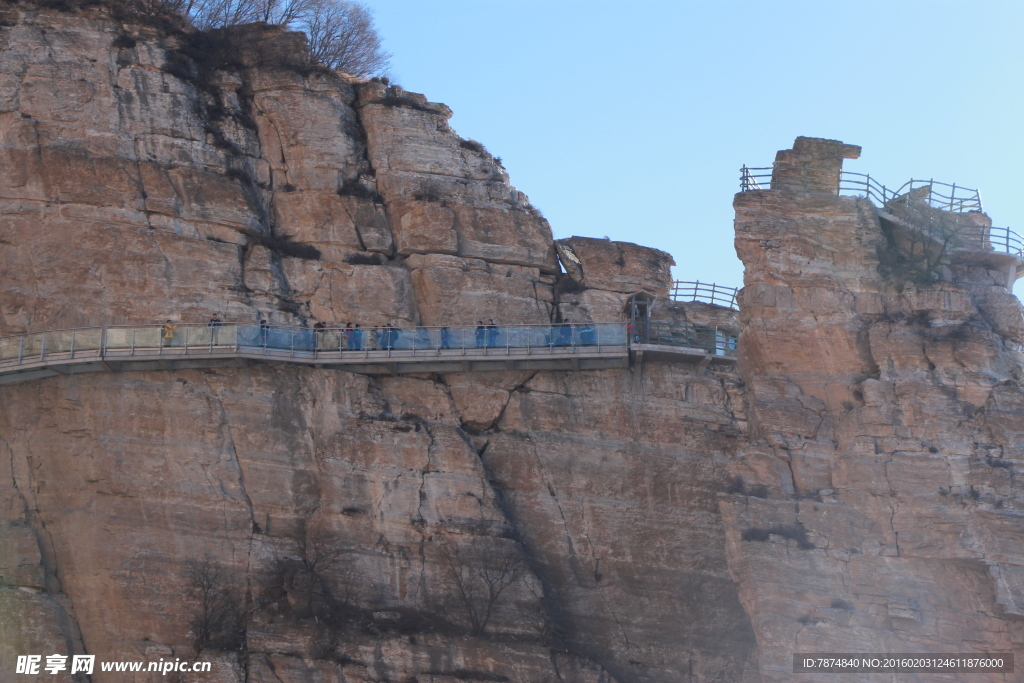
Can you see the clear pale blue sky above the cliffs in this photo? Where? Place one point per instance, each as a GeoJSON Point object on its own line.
{"type": "Point", "coordinates": [632, 119]}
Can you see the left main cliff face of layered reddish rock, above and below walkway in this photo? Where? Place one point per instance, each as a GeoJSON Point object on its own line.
{"type": "Point", "coordinates": [150, 177]}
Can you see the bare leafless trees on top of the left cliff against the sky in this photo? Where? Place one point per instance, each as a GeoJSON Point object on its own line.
{"type": "Point", "coordinates": [342, 33]}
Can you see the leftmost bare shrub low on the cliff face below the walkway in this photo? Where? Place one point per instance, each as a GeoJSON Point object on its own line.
{"type": "Point", "coordinates": [217, 617]}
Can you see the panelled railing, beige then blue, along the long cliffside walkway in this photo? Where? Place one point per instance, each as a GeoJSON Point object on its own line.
{"type": "Point", "coordinates": [337, 346]}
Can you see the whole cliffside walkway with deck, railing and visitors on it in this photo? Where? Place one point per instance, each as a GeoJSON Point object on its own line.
{"type": "Point", "coordinates": [379, 352]}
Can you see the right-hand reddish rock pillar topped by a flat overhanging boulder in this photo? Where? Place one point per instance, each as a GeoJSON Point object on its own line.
{"type": "Point", "coordinates": [882, 506]}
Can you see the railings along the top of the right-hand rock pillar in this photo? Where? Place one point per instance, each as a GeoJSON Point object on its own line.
{"type": "Point", "coordinates": [943, 196]}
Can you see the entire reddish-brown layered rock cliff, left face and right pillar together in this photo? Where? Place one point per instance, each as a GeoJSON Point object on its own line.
{"type": "Point", "coordinates": [851, 487]}
